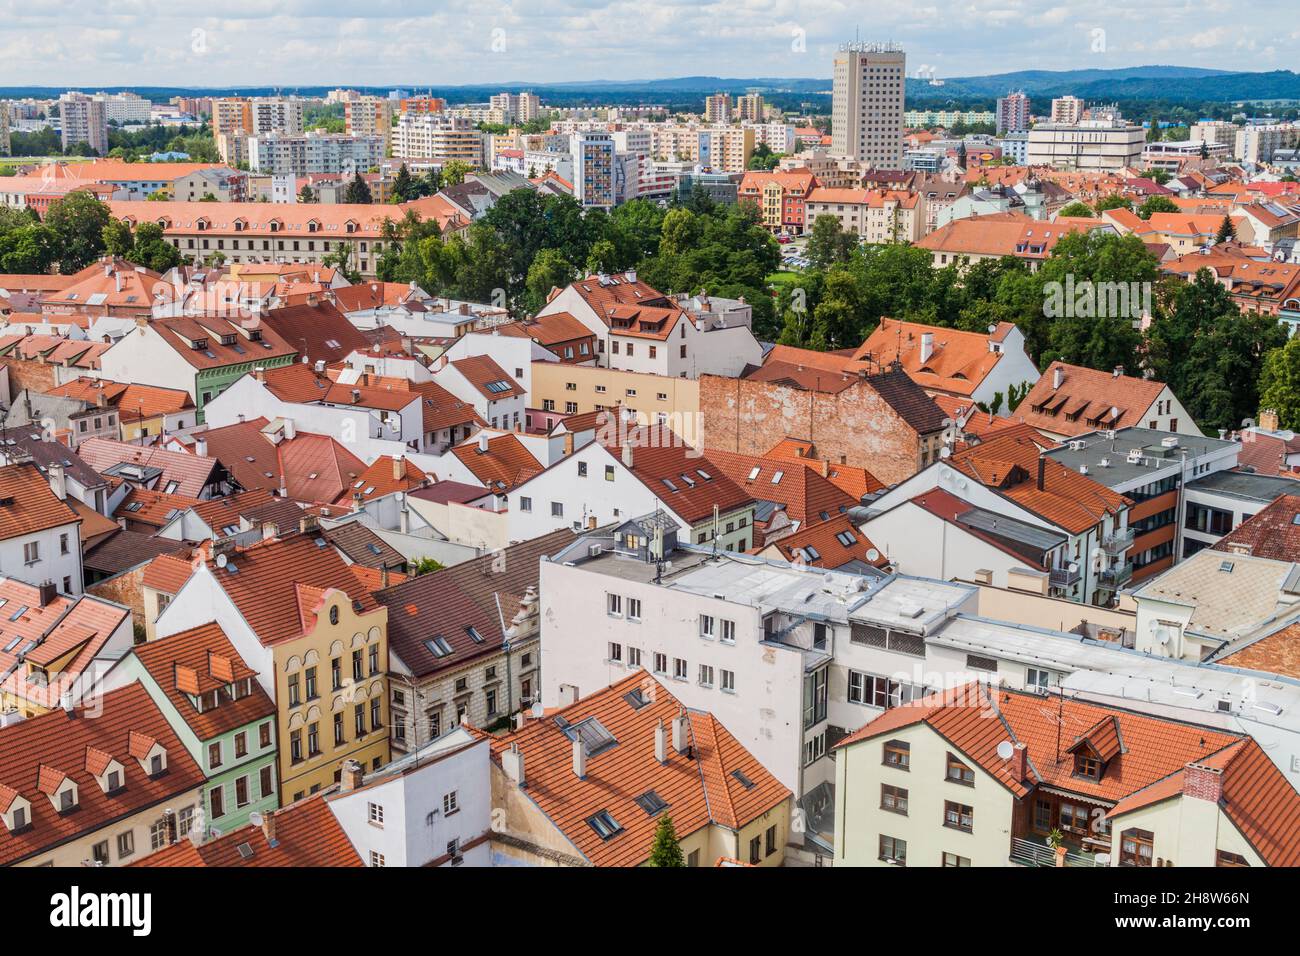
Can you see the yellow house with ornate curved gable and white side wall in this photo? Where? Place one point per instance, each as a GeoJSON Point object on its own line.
{"type": "Point", "coordinates": [318, 642]}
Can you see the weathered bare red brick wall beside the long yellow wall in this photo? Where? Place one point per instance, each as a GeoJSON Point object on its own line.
{"type": "Point", "coordinates": [855, 427]}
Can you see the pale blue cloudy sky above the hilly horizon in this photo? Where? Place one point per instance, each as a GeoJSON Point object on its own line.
{"type": "Point", "coordinates": [457, 42]}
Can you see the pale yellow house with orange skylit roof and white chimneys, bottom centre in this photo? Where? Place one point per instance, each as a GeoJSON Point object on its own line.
{"type": "Point", "coordinates": [553, 780]}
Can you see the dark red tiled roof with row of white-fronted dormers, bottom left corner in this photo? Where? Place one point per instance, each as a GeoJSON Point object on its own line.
{"type": "Point", "coordinates": [60, 742]}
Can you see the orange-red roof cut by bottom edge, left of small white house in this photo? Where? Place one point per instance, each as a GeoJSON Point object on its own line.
{"type": "Point", "coordinates": [307, 834]}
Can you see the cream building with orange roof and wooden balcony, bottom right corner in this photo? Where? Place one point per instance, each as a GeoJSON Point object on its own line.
{"type": "Point", "coordinates": [1119, 788]}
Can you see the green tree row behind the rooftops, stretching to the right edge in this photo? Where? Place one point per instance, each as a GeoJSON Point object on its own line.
{"type": "Point", "coordinates": [1198, 339]}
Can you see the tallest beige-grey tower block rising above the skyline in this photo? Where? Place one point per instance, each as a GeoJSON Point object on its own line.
{"type": "Point", "coordinates": [868, 101]}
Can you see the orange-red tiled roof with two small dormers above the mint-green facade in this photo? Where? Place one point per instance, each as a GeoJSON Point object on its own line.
{"type": "Point", "coordinates": [198, 663]}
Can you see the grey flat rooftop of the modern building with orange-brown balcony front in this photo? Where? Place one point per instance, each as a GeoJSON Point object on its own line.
{"type": "Point", "coordinates": [1108, 462]}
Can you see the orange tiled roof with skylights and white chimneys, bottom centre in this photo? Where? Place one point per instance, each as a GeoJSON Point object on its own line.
{"type": "Point", "coordinates": [709, 786]}
